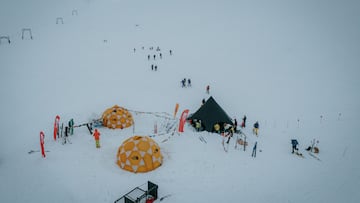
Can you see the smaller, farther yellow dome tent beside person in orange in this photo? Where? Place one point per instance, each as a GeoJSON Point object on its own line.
{"type": "Point", "coordinates": [117, 117]}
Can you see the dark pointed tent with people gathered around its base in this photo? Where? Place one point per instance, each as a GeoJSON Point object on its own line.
{"type": "Point", "coordinates": [211, 113]}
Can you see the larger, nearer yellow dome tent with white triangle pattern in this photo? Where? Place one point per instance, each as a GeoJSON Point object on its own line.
{"type": "Point", "coordinates": [139, 154]}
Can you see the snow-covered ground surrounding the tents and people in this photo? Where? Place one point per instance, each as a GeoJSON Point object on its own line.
{"type": "Point", "coordinates": [283, 63]}
